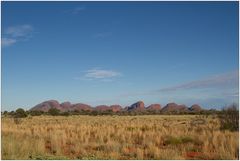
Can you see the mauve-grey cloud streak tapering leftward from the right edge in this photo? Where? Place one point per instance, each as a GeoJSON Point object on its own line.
{"type": "Point", "coordinates": [217, 81]}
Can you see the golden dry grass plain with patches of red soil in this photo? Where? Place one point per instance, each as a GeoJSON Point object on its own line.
{"type": "Point", "coordinates": [117, 137]}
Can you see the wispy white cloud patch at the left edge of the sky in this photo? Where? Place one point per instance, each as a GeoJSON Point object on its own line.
{"type": "Point", "coordinates": [14, 34]}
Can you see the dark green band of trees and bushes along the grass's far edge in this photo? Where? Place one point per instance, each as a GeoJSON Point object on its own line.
{"type": "Point", "coordinates": [228, 116]}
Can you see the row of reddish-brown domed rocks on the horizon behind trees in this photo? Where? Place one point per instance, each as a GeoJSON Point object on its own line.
{"type": "Point", "coordinates": [138, 106]}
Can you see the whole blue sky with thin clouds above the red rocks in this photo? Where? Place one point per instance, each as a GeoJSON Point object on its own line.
{"type": "Point", "coordinates": [119, 53]}
